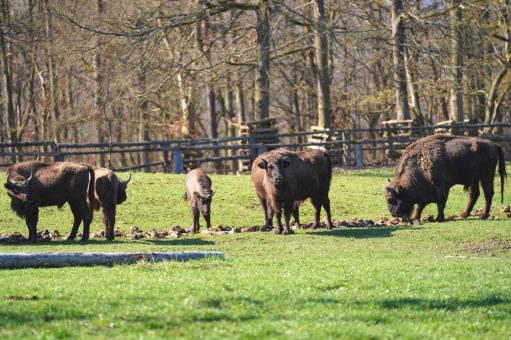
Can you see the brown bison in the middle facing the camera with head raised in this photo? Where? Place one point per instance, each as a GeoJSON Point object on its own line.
{"type": "Point", "coordinates": [290, 177]}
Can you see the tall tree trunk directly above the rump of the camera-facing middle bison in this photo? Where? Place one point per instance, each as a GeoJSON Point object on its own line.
{"type": "Point", "coordinates": [323, 78]}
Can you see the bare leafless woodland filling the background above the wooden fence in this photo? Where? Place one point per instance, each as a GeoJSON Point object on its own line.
{"type": "Point", "coordinates": [124, 70]}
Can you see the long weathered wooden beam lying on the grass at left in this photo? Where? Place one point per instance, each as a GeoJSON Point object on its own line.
{"type": "Point", "coordinates": [24, 260]}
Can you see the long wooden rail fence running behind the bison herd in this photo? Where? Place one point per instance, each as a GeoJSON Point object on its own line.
{"type": "Point", "coordinates": [356, 147]}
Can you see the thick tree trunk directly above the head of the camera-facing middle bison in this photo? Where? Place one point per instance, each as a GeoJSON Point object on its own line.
{"type": "Point", "coordinates": [262, 82]}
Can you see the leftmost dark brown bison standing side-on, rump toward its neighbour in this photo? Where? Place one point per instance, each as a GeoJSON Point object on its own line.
{"type": "Point", "coordinates": [33, 184]}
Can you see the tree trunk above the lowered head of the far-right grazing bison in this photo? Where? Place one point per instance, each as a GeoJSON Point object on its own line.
{"type": "Point", "coordinates": [400, 84]}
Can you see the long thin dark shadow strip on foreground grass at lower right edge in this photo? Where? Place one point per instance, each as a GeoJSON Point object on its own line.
{"type": "Point", "coordinates": [449, 304]}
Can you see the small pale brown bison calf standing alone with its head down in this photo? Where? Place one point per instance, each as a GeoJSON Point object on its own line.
{"type": "Point", "coordinates": [198, 192]}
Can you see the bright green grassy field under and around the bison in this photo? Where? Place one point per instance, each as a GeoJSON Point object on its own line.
{"type": "Point", "coordinates": [383, 282]}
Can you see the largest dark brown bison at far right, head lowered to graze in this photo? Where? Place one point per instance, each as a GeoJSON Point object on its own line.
{"type": "Point", "coordinates": [430, 166]}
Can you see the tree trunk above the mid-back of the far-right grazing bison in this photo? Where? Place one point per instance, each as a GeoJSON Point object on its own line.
{"type": "Point", "coordinates": [456, 100]}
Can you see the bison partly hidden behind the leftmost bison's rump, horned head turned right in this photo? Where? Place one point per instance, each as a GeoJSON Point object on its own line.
{"type": "Point", "coordinates": [109, 191]}
